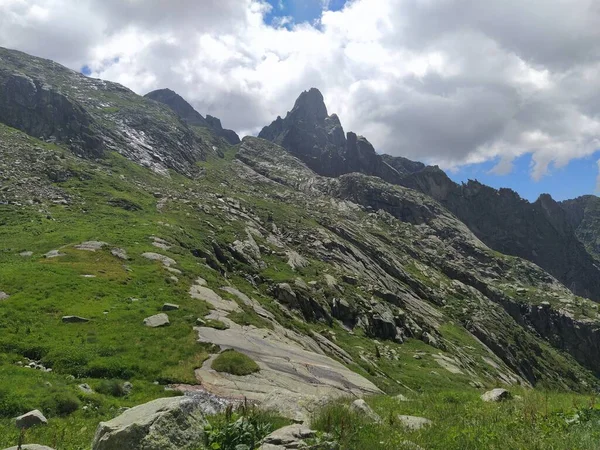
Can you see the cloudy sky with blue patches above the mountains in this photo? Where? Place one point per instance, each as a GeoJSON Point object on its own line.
{"type": "Point", "coordinates": [503, 91]}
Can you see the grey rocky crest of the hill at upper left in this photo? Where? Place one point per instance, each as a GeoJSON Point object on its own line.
{"type": "Point", "coordinates": [45, 99]}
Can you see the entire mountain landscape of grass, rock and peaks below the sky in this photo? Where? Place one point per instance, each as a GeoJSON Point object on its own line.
{"type": "Point", "coordinates": [320, 295]}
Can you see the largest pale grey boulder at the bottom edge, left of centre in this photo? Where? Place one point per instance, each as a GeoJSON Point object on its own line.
{"type": "Point", "coordinates": [175, 423]}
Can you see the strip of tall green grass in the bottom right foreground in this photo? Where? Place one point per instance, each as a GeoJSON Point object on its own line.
{"type": "Point", "coordinates": [462, 421]}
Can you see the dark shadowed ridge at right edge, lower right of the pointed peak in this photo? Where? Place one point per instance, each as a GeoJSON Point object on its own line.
{"type": "Point", "coordinates": [540, 232]}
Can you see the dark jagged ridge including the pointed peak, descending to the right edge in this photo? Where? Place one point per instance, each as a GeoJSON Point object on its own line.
{"type": "Point", "coordinates": [539, 231]}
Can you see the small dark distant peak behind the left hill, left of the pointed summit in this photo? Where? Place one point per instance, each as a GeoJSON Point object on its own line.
{"type": "Point", "coordinates": [186, 111]}
